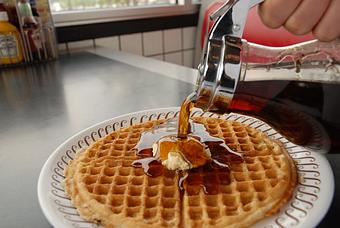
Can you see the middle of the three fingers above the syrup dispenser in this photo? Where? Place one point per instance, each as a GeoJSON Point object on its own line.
{"type": "Point", "coordinates": [306, 16]}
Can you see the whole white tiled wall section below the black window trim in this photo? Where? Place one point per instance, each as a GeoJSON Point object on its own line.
{"type": "Point", "coordinates": [172, 45]}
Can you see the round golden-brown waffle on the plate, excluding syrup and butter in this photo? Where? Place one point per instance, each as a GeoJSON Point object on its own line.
{"type": "Point", "coordinates": [107, 190]}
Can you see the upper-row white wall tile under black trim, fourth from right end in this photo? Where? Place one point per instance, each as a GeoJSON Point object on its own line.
{"type": "Point", "coordinates": [132, 43]}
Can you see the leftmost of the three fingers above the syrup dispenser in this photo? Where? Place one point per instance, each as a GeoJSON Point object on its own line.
{"type": "Point", "coordinates": [274, 13]}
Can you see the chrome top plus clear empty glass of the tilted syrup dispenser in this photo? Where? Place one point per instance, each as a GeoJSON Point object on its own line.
{"type": "Point", "coordinates": [228, 59]}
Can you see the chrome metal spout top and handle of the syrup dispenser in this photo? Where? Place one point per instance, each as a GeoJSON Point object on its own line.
{"type": "Point", "coordinates": [220, 66]}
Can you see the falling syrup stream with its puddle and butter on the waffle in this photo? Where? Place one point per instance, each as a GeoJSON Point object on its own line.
{"type": "Point", "coordinates": [204, 157]}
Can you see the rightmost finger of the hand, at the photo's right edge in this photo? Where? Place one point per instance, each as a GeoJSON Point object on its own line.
{"type": "Point", "coordinates": [329, 27]}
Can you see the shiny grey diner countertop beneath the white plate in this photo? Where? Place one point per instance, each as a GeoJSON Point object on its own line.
{"type": "Point", "coordinates": [43, 105]}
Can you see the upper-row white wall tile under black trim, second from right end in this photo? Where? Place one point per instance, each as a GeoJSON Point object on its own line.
{"type": "Point", "coordinates": [172, 40]}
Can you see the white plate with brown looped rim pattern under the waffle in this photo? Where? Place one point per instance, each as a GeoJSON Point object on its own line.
{"type": "Point", "coordinates": [309, 204]}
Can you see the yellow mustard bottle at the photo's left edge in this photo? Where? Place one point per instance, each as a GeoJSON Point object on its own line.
{"type": "Point", "coordinates": [10, 41]}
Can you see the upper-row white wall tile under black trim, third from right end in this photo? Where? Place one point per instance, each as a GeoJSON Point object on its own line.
{"type": "Point", "coordinates": [153, 43]}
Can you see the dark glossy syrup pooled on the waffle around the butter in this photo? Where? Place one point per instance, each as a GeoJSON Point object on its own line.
{"type": "Point", "coordinates": [203, 173]}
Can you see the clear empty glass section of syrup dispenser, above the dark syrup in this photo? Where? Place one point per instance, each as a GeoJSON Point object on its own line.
{"type": "Point", "coordinates": [311, 61]}
